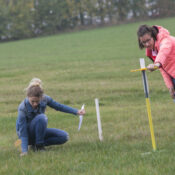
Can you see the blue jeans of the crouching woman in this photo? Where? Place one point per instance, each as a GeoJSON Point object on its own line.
{"type": "Point", "coordinates": [40, 134]}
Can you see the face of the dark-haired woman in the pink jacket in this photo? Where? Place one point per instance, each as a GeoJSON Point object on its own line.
{"type": "Point", "coordinates": [147, 41]}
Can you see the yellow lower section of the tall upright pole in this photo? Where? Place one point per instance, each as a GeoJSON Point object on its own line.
{"type": "Point", "coordinates": [150, 123]}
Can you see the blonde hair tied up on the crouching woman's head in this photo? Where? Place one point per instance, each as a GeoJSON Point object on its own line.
{"type": "Point", "coordinates": [35, 88]}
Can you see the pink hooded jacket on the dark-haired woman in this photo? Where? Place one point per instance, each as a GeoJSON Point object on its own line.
{"type": "Point", "coordinates": [165, 46]}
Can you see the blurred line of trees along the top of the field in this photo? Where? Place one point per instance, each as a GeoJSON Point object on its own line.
{"type": "Point", "coordinates": [31, 18]}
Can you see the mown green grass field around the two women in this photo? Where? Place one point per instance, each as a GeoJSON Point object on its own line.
{"type": "Point", "coordinates": [76, 68]}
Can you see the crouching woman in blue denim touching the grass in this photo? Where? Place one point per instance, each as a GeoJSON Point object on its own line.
{"type": "Point", "coordinates": [31, 124]}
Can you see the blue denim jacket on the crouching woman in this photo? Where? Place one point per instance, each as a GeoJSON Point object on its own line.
{"type": "Point", "coordinates": [26, 114]}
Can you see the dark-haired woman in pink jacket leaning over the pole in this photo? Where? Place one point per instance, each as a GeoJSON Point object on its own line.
{"type": "Point", "coordinates": [160, 48]}
